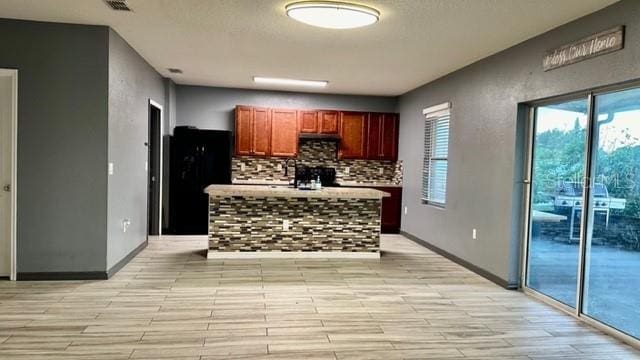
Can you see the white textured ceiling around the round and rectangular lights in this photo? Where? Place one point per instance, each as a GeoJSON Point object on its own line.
{"type": "Point", "coordinates": [227, 42]}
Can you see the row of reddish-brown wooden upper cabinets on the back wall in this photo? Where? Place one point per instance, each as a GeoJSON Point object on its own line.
{"type": "Point", "coordinates": [274, 132]}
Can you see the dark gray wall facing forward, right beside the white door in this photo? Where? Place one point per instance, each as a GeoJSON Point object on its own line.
{"type": "Point", "coordinates": [62, 143]}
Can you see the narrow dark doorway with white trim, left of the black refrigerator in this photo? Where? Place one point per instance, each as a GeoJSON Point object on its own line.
{"type": "Point", "coordinates": [154, 161]}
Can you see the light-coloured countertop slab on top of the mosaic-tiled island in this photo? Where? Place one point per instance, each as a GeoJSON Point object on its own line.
{"type": "Point", "coordinates": [289, 192]}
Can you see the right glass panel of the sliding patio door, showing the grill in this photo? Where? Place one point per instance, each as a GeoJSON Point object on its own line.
{"type": "Point", "coordinates": [612, 254]}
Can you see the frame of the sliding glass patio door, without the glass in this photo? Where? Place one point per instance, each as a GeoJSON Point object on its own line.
{"type": "Point", "coordinates": [576, 312]}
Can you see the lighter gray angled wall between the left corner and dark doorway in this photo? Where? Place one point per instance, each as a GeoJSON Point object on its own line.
{"type": "Point", "coordinates": [132, 82]}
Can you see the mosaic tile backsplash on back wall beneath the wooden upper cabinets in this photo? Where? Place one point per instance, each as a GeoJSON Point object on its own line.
{"type": "Point", "coordinates": [318, 153]}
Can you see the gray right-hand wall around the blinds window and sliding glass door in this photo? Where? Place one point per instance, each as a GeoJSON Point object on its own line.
{"type": "Point", "coordinates": [485, 158]}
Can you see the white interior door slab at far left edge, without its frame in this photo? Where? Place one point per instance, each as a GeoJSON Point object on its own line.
{"type": "Point", "coordinates": [6, 111]}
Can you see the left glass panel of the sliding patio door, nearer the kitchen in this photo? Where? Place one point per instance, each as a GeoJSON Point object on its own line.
{"type": "Point", "coordinates": [559, 143]}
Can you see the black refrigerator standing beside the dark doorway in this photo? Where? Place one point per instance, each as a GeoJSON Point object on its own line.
{"type": "Point", "coordinates": [199, 158]}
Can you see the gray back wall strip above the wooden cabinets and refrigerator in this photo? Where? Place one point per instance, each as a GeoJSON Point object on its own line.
{"type": "Point", "coordinates": [212, 108]}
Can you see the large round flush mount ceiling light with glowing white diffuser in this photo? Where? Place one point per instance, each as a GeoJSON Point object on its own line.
{"type": "Point", "coordinates": [332, 14]}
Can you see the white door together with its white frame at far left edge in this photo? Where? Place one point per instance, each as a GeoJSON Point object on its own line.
{"type": "Point", "coordinates": [8, 171]}
